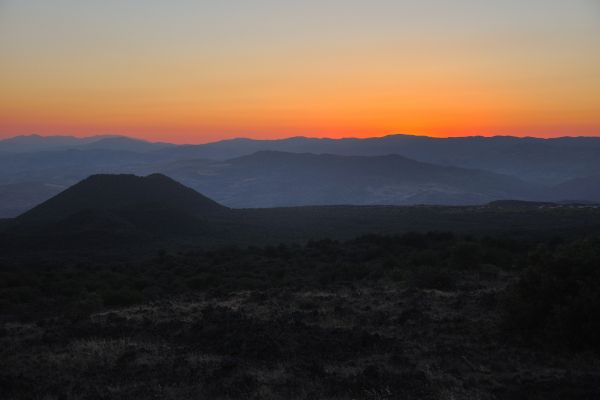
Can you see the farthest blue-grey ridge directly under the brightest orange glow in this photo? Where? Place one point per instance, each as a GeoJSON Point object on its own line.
{"type": "Point", "coordinates": [547, 161]}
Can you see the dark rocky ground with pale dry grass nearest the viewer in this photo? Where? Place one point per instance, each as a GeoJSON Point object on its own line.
{"type": "Point", "coordinates": [361, 342]}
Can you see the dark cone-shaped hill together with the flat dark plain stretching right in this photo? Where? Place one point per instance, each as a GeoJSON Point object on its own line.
{"type": "Point", "coordinates": [126, 212]}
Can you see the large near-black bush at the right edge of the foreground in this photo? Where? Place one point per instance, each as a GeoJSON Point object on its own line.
{"type": "Point", "coordinates": [556, 300]}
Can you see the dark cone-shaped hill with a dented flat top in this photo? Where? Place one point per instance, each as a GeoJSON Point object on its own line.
{"type": "Point", "coordinates": [118, 192]}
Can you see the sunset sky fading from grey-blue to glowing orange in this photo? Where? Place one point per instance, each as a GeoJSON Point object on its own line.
{"type": "Point", "coordinates": [196, 71]}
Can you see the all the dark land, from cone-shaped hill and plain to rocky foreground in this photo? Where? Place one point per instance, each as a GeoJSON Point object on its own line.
{"type": "Point", "coordinates": [129, 287]}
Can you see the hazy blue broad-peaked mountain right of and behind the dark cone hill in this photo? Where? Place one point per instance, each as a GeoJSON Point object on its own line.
{"type": "Point", "coordinates": [269, 179]}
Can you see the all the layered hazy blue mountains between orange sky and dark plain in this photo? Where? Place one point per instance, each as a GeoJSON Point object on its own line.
{"type": "Point", "coordinates": [393, 170]}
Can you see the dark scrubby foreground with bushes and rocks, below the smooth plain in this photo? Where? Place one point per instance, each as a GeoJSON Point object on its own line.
{"type": "Point", "coordinates": [419, 315]}
